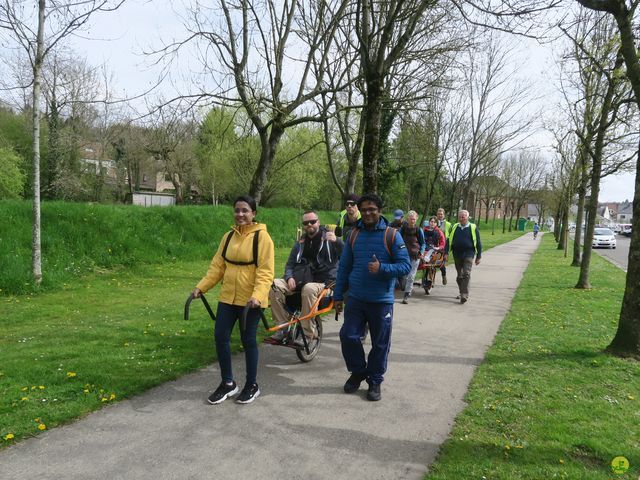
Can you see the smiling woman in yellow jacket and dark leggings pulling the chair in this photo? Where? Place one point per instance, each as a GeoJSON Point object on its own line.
{"type": "Point", "coordinates": [246, 267]}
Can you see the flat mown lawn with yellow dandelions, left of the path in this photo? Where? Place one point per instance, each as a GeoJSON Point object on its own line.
{"type": "Point", "coordinates": [102, 338]}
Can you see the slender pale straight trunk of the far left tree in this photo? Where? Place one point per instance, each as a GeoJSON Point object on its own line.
{"type": "Point", "coordinates": [36, 256]}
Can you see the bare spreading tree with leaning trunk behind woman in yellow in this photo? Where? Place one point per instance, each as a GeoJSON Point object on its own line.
{"type": "Point", "coordinates": [264, 52]}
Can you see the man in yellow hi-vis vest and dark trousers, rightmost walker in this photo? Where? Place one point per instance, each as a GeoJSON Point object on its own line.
{"type": "Point", "coordinates": [465, 245]}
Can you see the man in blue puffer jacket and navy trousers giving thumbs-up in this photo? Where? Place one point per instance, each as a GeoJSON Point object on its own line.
{"type": "Point", "coordinates": [372, 258]}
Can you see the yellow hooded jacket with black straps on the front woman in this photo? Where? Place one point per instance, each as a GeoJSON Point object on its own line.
{"type": "Point", "coordinates": [241, 282]}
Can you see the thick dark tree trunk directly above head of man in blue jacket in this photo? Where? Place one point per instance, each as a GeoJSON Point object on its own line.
{"type": "Point", "coordinates": [371, 147]}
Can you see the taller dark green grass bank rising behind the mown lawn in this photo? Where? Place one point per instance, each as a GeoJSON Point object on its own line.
{"type": "Point", "coordinates": [79, 238]}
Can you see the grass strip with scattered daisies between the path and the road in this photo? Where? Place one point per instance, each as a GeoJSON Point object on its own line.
{"type": "Point", "coordinates": [546, 402]}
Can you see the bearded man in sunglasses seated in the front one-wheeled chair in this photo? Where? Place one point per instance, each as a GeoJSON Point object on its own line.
{"type": "Point", "coordinates": [315, 256]}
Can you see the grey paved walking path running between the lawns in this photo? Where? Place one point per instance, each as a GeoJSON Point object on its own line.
{"type": "Point", "coordinates": [303, 425]}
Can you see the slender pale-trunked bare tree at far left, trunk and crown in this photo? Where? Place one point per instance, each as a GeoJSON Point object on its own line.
{"type": "Point", "coordinates": [28, 31]}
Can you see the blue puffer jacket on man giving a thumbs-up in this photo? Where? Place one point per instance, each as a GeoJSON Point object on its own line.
{"type": "Point", "coordinates": [353, 272]}
